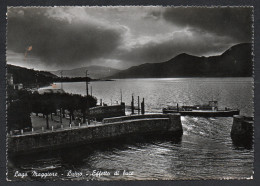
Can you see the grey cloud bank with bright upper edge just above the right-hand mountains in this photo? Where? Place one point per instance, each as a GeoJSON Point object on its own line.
{"type": "Point", "coordinates": [189, 41]}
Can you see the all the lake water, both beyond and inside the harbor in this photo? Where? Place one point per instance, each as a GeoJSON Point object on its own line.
{"type": "Point", "coordinates": [205, 150]}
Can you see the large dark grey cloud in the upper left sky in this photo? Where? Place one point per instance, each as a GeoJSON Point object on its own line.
{"type": "Point", "coordinates": [58, 42]}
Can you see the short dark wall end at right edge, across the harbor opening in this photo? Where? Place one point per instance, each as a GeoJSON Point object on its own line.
{"type": "Point", "coordinates": [242, 130]}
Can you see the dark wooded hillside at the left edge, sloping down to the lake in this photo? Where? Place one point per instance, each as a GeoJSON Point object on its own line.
{"type": "Point", "coordinates": [29, 76]}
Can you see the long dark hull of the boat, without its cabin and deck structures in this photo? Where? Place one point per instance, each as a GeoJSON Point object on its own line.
{"type": "Point", "coordinates": [228, 113]}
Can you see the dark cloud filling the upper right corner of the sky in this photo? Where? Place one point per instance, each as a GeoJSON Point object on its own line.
{"type": "Point", "coordinates": [226, 21]}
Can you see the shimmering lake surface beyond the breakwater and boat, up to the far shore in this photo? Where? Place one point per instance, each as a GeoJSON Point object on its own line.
{"type": "Point", "coordinates": [158, 93]}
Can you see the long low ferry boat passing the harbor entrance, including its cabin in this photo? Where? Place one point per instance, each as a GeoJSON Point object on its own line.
{"type": "Point", "coordinates": [207, 110]}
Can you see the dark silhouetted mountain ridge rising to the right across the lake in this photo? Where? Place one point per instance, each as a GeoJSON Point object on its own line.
{"type": "Point", "coordinates": [235, 62]}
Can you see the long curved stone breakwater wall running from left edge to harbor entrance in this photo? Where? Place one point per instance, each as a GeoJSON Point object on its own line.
{"type": "Point", "coordinates": [133, 125]}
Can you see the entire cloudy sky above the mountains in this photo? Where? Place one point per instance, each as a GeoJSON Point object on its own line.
{"type": "Point", "coordinates": [120, 37]}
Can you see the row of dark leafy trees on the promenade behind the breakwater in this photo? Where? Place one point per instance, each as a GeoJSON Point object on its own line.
{"type": "Point", "coordinates": [21, 103]}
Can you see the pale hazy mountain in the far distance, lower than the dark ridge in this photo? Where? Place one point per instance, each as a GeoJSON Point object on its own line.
{"type": "Point", "coordinates": [95, 72]}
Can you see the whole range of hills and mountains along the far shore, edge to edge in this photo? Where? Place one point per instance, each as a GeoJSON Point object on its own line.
{"type": "Point", "coordinates": [235, 62]}
